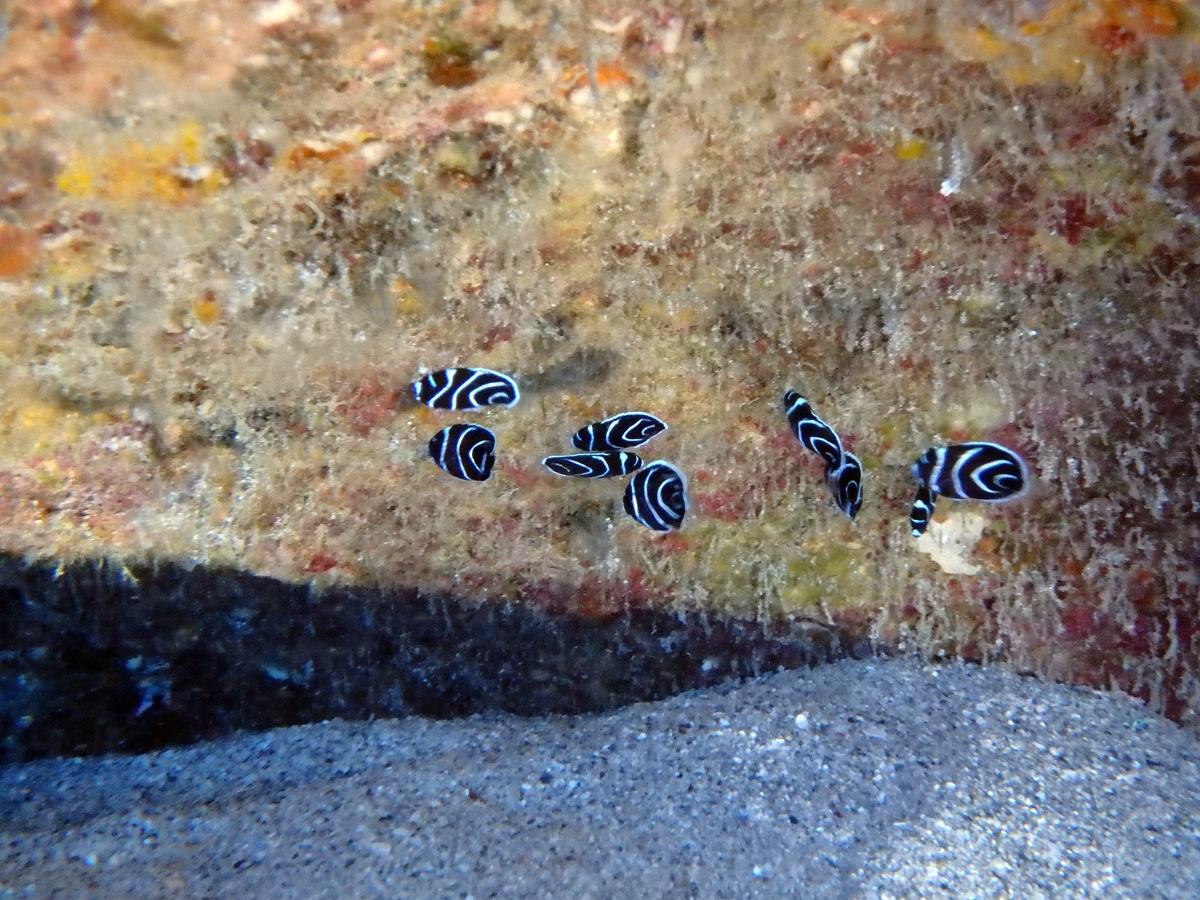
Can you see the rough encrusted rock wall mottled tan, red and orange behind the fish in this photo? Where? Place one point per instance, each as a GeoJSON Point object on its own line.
{"type": "Point", "coordinates": [231, 233]}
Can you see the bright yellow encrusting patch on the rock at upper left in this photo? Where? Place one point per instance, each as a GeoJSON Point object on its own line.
{"type": "Point", "coordinates": [172, 171]}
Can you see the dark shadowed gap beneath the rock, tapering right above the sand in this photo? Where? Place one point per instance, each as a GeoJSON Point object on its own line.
{"type": "Point", "coordinates": [95, 658]}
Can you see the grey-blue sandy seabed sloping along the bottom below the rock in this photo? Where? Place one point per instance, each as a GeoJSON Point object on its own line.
{"type": "Point", "coordinates": [859, 779]}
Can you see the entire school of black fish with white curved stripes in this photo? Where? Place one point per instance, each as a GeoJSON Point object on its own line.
{"type": "Point", "coordinates": [657, 495]}
